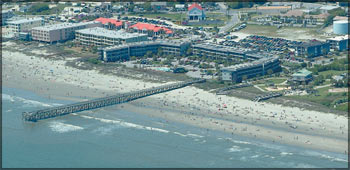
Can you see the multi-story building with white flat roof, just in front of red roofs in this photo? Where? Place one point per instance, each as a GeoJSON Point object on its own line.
{"type": "Point", "coordinates": [98, 36]}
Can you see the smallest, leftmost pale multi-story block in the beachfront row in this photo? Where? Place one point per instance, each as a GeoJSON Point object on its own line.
{"type": "Point", "coordinates": [24, 25]}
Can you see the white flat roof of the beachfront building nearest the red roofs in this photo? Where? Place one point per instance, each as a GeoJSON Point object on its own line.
{"type": "Point", "coordinates": [103, 32]}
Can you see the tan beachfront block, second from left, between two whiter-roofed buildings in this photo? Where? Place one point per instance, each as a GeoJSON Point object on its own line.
{"type": "Point", "coordinates": [60, 32]}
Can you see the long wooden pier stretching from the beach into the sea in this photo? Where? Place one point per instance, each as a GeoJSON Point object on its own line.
{"type": "Point", "coordinates": [102, 102]}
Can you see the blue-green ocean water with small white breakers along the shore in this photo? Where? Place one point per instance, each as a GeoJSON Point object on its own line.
{"type": "Point", "coordinates": [113, 137]}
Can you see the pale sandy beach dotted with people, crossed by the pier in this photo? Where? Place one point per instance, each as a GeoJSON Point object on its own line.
{"type": "Point", "coordinates": [189, 105]}
